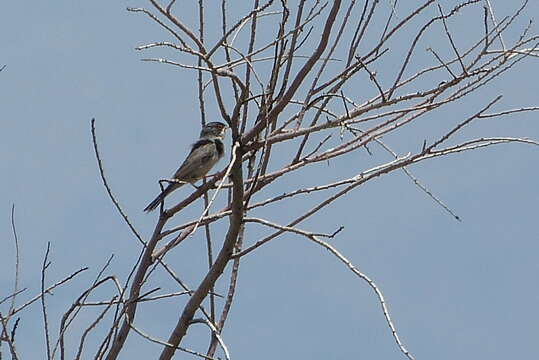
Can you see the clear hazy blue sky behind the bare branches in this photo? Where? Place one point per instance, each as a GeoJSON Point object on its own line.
{"type": "Point", "coordinates": [454, 289]}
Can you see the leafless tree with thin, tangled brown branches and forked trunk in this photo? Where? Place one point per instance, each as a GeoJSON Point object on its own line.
{"type": "Point", "coordinates": [297, 84]}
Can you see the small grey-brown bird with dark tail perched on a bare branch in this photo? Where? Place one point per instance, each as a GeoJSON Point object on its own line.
{"type": "Point", "coordinates": [205, 153]}
